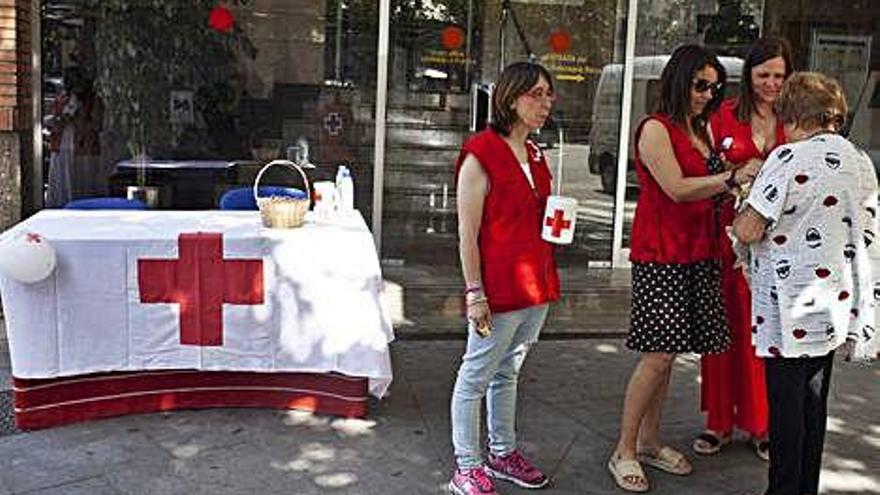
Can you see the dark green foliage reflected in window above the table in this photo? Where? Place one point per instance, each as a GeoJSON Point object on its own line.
{"type": "Point", "coordinates": [147, 48]}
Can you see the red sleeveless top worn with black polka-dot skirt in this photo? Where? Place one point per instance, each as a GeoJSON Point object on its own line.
{"type": "Point", "coordinates": [665, 231]}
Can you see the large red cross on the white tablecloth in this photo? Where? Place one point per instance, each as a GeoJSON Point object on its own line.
{"type": "Point", "coordinates": [201, 281]}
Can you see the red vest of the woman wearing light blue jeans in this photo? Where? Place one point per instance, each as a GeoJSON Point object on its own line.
{"type": "Point", "coordinates": [518, 267]}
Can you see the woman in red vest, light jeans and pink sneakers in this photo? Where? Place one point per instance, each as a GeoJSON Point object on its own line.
{"type": "Point", "coordinates": [509, 273]}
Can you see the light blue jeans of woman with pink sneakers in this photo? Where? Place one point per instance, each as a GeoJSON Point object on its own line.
{"type": "Point", "coordinates": [490, 368]}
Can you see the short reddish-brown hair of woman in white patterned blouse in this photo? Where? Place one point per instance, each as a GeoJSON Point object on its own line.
{"type": "Point", "coordinates": [810, 100]}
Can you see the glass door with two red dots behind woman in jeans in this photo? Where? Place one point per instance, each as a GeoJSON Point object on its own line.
{"type": "Point", "coordinates": [442, 57]}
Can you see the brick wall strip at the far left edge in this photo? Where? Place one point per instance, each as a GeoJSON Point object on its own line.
{"type": "Point", "coordinates": [16, 109]}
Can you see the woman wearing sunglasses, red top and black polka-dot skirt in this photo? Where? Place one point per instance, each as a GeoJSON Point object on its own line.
{"type": "Point", "coordinates": [676, 295]}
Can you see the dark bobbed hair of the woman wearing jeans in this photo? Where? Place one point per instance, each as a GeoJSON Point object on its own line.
{"type": "Point", "coordinates": [516, 80]}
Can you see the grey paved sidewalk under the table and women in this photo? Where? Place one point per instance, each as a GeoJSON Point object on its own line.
{"type": "Point", "coordinates": [571, 394]}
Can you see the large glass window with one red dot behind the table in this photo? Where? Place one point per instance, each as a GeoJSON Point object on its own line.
{"type": "Point", "coordinates": [192, 98]}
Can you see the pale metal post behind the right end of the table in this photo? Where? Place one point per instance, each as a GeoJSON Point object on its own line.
{"type": "Point", "coordinates": [379, 139]}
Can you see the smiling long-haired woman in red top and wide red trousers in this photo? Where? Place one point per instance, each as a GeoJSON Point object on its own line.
{"type": "Point", "coordinates": [733, 391]}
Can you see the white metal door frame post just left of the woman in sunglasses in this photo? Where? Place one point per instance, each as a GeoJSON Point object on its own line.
{"type": "Point", "coordinates": [619, 257]}
